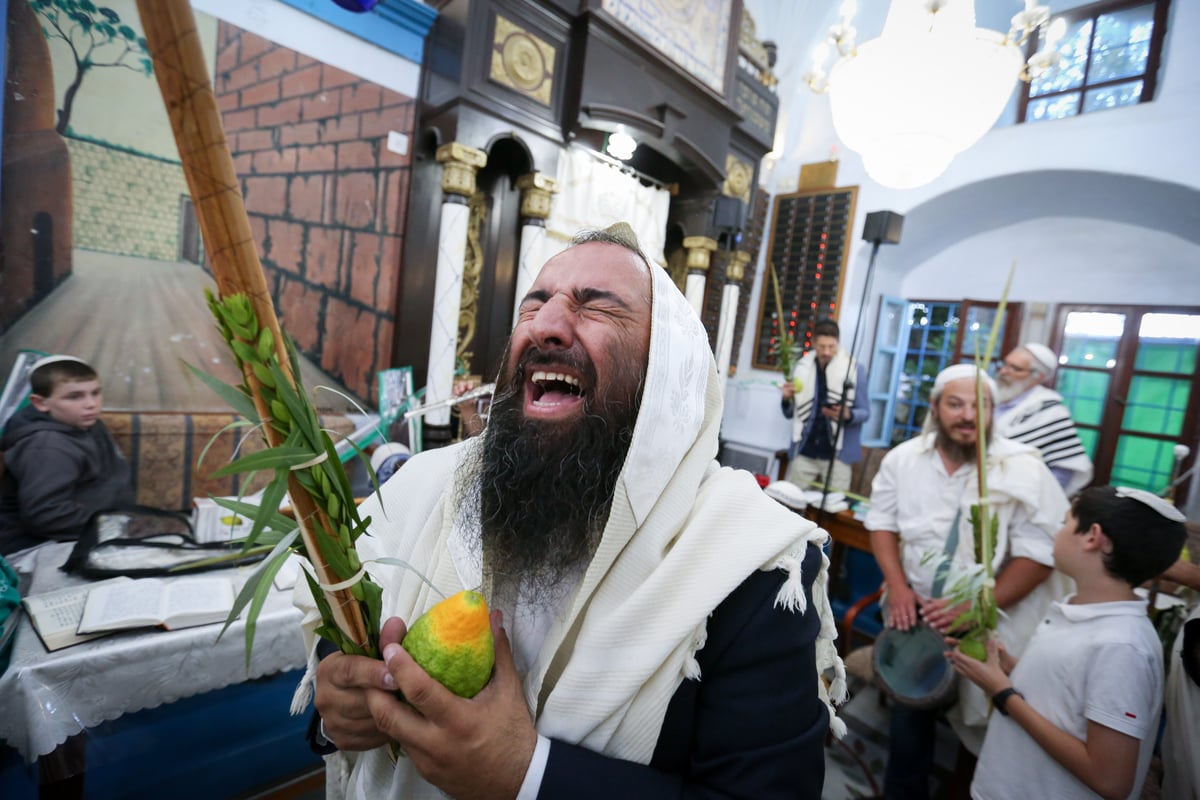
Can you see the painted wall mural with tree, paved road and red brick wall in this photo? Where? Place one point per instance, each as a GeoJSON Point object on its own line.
{"type": "Point", "coordinates": [101, 251]}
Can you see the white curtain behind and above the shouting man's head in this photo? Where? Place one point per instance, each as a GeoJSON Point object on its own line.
{"type": "Point", "coordinates": [595, 195]}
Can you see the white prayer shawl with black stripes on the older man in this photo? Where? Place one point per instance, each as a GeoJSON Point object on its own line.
{"type": "Point", "coordinates": [1041, 420]}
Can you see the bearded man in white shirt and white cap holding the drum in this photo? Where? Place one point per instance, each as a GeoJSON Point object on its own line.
{"type": "Point", "coordinates": [921, 502]}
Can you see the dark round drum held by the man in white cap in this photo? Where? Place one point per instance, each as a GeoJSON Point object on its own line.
{"type": "Point", "coordinates": [913, 669]}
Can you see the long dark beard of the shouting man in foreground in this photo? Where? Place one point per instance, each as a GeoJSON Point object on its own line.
{"type": "Point", "coordinates": [545, 489]}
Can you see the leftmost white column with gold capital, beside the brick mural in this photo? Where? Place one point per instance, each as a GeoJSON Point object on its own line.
{"type": "Point", "coordinates": [459, 167]}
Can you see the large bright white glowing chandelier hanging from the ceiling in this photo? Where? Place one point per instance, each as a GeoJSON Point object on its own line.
{"type": "Point", "coordinates": [929, 87]}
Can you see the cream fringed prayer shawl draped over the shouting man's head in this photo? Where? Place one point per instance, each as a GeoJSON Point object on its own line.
{"type": "Point", "coordinates": [681, 537]}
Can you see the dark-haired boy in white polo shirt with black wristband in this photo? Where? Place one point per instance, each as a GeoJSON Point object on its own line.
{"type": "Point", "coordinates": [1078, 717]}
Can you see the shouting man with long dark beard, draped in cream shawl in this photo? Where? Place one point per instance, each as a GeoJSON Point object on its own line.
{"type": "Point", "coordinates": [661, 624]}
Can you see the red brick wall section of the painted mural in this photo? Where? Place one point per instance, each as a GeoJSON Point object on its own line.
{"type": "Point", "coordinates": [325, 194]}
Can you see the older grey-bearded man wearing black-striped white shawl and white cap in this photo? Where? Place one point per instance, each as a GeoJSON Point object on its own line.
{"type": "Point", "coordinates": [1031, 413]}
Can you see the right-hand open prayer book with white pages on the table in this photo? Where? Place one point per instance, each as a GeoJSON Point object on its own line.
{"type": "Point", "coordinates": [164, 603]}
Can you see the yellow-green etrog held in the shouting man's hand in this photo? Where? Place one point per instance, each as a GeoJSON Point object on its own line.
{"type": "Point", "coordinates": [453, 642]}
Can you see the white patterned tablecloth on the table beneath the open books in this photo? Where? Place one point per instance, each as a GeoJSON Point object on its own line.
{"type": "Point", "coordinates": [47, 697]}
